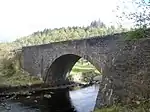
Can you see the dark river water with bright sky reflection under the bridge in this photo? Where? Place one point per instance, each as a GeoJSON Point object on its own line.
{"type": "Point", "coordinates": [82, 100]}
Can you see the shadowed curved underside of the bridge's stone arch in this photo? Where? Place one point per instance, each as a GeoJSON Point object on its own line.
{"type": "Point", "coordinates": [58, 69]}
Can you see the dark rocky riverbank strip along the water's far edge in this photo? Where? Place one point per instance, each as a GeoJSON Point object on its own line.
{"type": "Point", "coordinates": [37, 88]}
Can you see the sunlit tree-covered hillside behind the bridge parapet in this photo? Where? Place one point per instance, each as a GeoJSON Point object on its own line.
{"type": "Point", "coordinates": [96, 28]}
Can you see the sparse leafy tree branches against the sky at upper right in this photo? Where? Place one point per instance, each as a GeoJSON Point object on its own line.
{"type": "Point", "coordinates": [136, 11]}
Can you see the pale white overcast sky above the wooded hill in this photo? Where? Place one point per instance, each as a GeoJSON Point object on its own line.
{"type": "Point", "coordinates": [20, 18]}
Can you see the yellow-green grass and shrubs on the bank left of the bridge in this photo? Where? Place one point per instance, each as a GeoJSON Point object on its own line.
{"type": "Point", "coordinates": [10, 67]}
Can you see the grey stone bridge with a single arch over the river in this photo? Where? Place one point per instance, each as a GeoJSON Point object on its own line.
{"type": "Point", "coordinates": [125, 65]}
